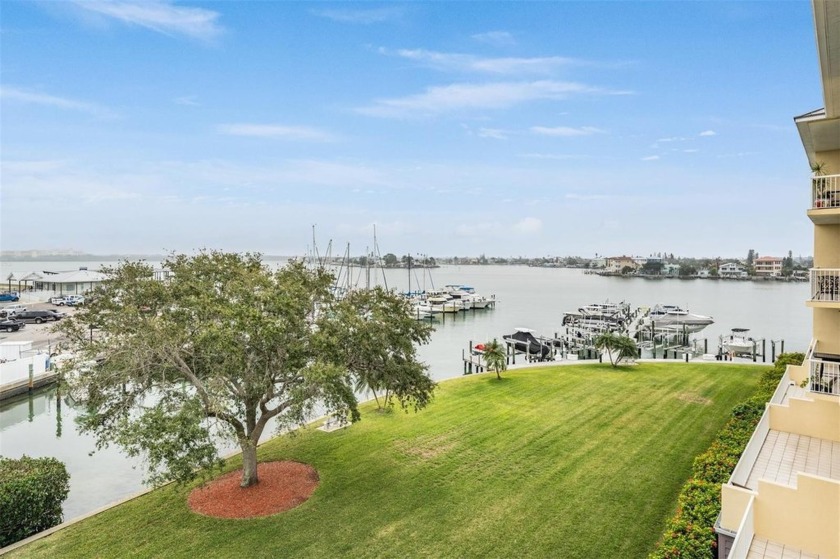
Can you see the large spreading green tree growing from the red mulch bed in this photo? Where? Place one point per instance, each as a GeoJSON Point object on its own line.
{"type": "Point", "coordinates": [221, 348]}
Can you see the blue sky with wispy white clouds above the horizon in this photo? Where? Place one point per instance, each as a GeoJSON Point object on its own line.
{"type": "Point", "coordinates": [456, 128]}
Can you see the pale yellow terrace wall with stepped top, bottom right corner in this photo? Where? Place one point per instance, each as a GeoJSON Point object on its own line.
{"type": "Point", "coordinates": [807, 517]}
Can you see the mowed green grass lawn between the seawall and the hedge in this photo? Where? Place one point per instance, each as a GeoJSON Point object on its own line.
{"type": "Point", "coordinates": [575, 461]}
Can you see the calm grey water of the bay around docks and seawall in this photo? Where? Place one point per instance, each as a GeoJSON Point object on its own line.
{"type": "Point", "coordinates": [41, 425]}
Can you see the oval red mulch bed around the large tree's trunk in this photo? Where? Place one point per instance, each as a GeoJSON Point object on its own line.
{"type": "Point", "coordinates": [282, 486]}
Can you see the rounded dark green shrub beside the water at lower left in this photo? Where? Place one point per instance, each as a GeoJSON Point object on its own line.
{"type": "Point", "coordinates": [31, 493]}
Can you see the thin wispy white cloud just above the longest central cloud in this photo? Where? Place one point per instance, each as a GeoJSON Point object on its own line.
{"type": "Point", "coordinates": [455, 62]}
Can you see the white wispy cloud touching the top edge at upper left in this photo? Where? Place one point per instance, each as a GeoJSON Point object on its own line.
{"type": "Point", "coordinates": [160, 16]}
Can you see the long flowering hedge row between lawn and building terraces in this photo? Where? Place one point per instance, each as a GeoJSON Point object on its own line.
{"type": "Point", "coordinates": [690, 532]}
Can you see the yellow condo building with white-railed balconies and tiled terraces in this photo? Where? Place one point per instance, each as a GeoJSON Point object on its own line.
{"type": "Point", "coordinates": [783, 498]}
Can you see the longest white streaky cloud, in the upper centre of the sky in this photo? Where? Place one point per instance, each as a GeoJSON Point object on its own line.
{"type": "Point", "coordinates": [466, 96]}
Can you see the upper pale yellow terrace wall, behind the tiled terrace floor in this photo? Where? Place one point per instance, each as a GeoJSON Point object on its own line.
{"type": "Point", "coordinates": [818, 418]}
